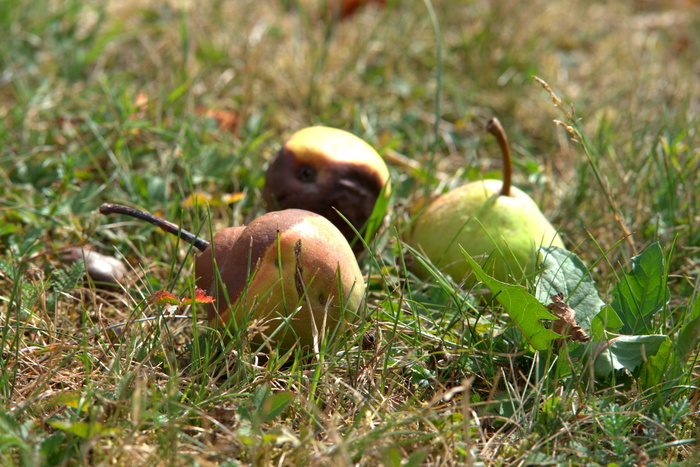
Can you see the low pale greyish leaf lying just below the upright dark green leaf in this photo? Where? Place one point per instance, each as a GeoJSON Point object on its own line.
{"type": "Point", "coordinates": [626, 352]}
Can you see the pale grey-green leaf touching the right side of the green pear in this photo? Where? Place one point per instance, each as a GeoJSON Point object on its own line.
{"type": "Point", "coordinates": [565, 273]}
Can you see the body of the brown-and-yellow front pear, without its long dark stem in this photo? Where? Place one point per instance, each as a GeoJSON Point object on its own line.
{"type": "Point", "coordinates": [314, 258]}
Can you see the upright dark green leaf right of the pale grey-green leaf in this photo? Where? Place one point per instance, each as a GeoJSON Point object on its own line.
{"type": "Point", "coordinates": [642, 292]}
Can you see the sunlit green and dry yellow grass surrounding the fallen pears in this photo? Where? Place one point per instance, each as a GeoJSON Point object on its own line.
{"type": "Point", "coordinates": [107, 101]}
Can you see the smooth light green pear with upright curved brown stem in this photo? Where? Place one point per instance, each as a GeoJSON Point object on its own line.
{"type": "Point", "coordinates": [497, 224]}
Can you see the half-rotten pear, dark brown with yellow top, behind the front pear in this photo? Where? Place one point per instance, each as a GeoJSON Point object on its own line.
{"type": "Point", "coordinates": [322, 169]}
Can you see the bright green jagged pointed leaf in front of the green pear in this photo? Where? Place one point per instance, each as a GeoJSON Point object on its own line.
{"type": "Point", "coordinates": [524, 308]}
